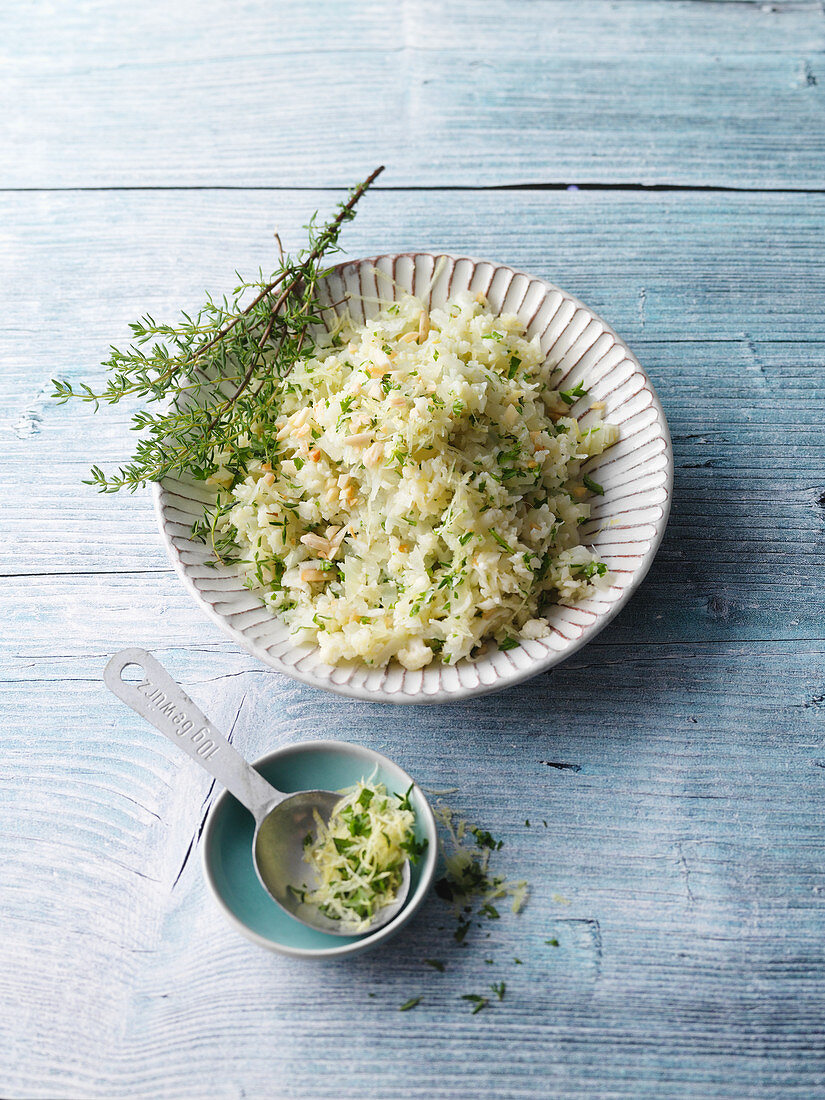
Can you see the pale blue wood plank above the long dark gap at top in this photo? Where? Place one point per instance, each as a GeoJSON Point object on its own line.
{"type": "Point", "coordinates": [467, 94]}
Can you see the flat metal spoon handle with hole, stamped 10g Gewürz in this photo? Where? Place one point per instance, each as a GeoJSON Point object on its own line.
{"type": "Point", "coordinates": [163, 703]}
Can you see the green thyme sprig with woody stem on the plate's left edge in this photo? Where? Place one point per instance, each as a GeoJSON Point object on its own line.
{"type": "Point", "coordinates": [217, 375]}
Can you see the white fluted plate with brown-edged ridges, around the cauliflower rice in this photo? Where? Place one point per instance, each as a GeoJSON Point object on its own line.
{"type": "Point", "coordinates": [626, 527]}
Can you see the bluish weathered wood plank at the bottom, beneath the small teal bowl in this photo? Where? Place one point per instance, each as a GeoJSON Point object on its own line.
{"type": "Point", "coordinates": [694, 966]}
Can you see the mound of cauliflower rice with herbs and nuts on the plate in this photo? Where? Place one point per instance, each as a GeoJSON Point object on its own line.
{"type": "Point", "coordinates": [422, 491]}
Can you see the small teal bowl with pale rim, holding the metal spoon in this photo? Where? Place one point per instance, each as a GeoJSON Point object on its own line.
{"type": "Point", "coordinates": [227, 849]}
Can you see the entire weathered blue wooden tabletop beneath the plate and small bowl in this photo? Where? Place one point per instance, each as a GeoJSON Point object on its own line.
{"type": "Point", "coordinates": [666, 163]}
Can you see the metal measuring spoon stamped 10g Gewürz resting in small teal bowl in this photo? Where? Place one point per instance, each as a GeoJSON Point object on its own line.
{"type": "Point", "coordinates": [282, 821]}
